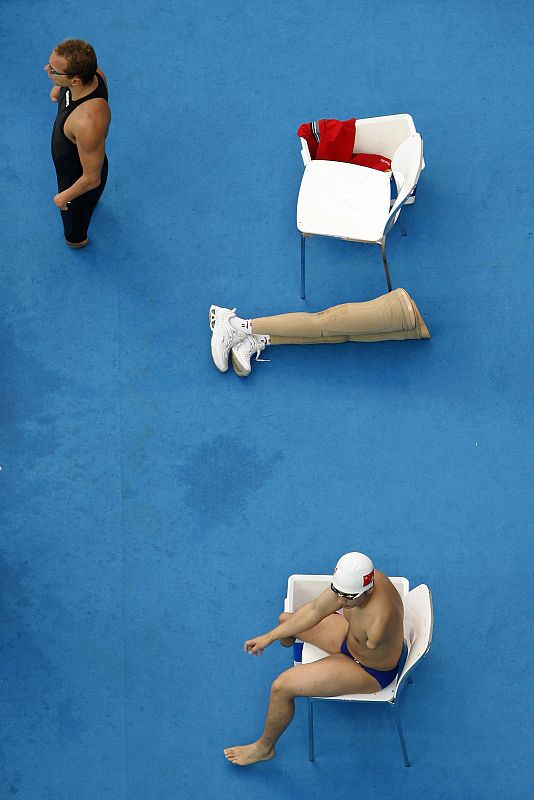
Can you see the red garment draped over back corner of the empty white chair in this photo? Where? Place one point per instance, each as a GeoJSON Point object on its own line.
{"type": "Point", "coordinates": [333, 140]}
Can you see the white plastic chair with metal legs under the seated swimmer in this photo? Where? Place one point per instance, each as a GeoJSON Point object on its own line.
{"type": "Point", "coordinates": [418, 625]}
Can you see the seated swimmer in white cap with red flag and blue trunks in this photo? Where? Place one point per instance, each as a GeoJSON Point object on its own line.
{"type": "Point", "coordinates": [365, 645]}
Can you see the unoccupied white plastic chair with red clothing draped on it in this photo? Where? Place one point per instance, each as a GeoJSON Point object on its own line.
{"type": "Point", "coordinates": [347, 201]}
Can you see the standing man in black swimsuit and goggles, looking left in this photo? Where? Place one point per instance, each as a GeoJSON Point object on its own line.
{"type": "Point", "coordinates": [79, 135]}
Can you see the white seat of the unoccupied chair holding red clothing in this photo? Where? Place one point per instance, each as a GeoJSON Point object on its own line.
{"type": "Point", "coordinates": [346, 201]}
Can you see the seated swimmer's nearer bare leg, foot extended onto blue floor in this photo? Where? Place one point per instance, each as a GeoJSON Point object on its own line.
{"type": "Point", "coordinates": [332, 675]}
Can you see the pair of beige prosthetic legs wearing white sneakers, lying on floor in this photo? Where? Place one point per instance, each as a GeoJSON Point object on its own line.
{"type": "Point", "coordinates": [391, 316]}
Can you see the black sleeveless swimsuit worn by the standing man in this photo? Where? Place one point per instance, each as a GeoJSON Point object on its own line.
{"type": "Point", "coordinates": [69, 168]}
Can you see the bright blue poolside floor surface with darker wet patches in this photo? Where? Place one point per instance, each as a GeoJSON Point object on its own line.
{"type": "Point", "coordinates": [154, 508]}
